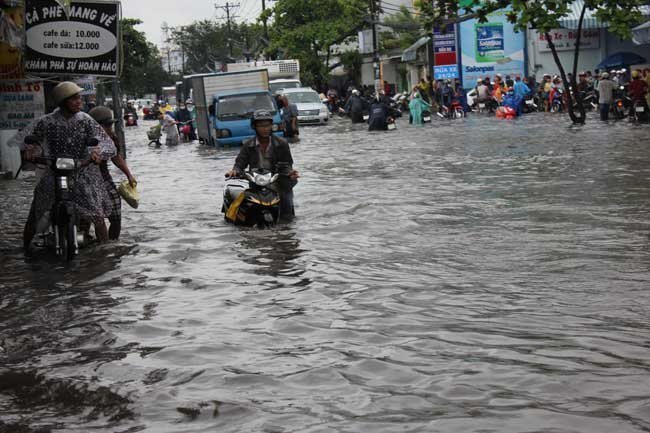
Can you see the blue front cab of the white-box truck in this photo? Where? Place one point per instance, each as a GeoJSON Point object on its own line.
{"type": "Point", "coordinates": [233, 111]}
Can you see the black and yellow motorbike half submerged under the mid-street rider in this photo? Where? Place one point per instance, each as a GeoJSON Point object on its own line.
{"type": "Point", "coordinates": [251, 201]}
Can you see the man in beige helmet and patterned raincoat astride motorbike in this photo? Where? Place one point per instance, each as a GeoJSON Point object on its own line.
{"type": "Point", "coordinates": [66, 132]}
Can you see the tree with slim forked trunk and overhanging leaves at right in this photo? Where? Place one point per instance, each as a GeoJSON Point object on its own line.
{"type": "Point", "coordinates": [543, 15]}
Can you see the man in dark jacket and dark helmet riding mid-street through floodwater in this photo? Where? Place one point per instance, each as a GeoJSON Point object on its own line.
{"type": "Point", "coordinates": [267, 151]}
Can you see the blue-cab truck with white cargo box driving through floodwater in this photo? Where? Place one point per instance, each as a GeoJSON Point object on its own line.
{"type": "Point", "coordinates": [226, 101]}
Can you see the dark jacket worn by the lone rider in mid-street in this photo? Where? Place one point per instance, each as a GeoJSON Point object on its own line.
{"type": "Point", "coordinates": [282, 161]}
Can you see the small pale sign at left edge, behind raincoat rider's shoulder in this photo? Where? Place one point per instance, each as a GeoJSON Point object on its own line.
{"type": "Point", "coordinates": [20, 103]}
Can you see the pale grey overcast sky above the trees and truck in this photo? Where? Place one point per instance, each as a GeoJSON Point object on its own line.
{"type": "Point", "coordinates": [182, 12]}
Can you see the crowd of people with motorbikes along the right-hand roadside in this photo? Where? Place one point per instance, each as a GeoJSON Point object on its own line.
{"type": "Point", "coordinates": [506, 96]}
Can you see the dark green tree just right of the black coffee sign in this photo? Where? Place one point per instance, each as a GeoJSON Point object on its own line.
{"type": "Point", "coordinates": [142, 70]}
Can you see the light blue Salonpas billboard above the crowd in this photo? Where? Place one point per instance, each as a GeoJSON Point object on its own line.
{"type": "Point", "coordinates": [490, 48]}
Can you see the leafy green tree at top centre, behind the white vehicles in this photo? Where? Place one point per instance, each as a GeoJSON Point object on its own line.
{"type": "Point", "coordinates": [307, 29]}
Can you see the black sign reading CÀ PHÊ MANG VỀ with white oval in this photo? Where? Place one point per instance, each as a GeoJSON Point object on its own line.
{"type": "Point", "coordinates": [80, 41]}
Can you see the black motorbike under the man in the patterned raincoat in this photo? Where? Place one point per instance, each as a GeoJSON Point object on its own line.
{"type": "Point", "coordinates": [59, 227]}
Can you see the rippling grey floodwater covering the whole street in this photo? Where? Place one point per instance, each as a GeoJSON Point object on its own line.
{"type": "Point", "coordinates": [473, 275]}
